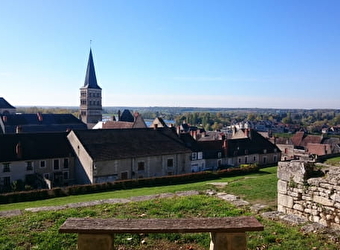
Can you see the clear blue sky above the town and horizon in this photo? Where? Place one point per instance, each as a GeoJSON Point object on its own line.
{"type": "Point", "coordinates": [242, 53]}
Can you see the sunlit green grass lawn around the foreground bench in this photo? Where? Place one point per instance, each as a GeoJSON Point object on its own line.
{"type": "Point", "coordinates": [40, 230]}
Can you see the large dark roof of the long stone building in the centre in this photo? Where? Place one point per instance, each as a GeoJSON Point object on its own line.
{"type": "Point", "coordinates": [110, 144]}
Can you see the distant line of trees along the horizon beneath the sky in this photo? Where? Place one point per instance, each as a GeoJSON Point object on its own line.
{"type": "Point", "coordinates": [214, 118]}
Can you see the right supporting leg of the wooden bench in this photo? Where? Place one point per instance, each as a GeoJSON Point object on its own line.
{"type": "Point", "coordinates": [228, 241]}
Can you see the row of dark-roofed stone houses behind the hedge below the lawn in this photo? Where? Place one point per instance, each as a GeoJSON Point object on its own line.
{"type": "Point", "coordinates": [102, 155]}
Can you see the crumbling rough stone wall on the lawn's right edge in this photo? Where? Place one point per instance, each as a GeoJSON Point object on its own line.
{"type": "Point", "coordinates": [309, 191]}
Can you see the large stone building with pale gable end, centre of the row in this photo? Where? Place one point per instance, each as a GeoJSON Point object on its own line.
{"type": "Point", "coordinates": [104, 155]}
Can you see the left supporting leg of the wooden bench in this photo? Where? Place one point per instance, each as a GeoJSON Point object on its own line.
{"type": "Point", "coordinates": [95, 241]}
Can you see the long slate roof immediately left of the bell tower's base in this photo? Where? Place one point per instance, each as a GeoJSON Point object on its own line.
{"type": "Point", "coordinates": [49, 122]}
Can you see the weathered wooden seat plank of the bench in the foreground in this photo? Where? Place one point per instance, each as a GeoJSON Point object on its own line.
{"type": "Point", "coordinates": [187, 225]}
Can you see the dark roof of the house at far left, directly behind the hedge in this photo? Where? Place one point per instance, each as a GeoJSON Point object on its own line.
{"type": "Point", "coordinates": [34, 146]}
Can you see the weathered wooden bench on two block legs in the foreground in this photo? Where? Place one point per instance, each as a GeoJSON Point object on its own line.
{"type": "Point", "coordinates": [227, 233]}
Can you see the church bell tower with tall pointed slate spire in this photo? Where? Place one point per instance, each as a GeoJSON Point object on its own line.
{"type": "Point", "coordinates": [90, 97]}
